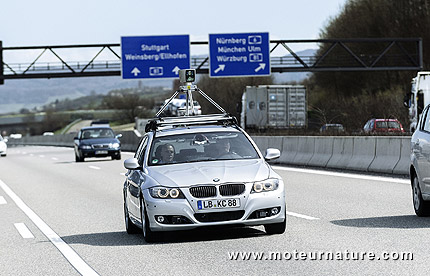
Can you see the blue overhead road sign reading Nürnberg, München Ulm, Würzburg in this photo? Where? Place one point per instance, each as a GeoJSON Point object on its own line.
{"type": "Point", "coordinates": [241, 54]}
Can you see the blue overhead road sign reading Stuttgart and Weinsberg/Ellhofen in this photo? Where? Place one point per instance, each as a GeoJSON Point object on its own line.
{"type": "Point", "coordinates": [154, 56]}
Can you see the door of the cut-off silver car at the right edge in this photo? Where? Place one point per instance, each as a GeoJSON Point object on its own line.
{"type": "Point", "coordinates": [423, 147]}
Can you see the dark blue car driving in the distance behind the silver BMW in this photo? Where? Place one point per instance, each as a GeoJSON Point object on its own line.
{"type": "Point", "coordinates": [97, 141]}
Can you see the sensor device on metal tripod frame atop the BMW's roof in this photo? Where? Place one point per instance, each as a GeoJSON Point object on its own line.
{"type": "Point", "coordinates": [187, 77]}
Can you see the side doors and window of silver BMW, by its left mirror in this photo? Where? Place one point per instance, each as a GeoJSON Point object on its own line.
{"type": "Point", "coordinates": [134, 180]}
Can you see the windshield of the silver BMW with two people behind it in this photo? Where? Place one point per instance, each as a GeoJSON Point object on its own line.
{"type": "Point", "coordinates": [196, 147]}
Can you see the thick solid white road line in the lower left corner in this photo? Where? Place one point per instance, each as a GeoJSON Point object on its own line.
{"type": "Point", "coordinates": [74, 259]}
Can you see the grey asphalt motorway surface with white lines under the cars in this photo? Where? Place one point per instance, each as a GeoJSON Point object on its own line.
{"type": "Point", "coordinates": [73, 213]}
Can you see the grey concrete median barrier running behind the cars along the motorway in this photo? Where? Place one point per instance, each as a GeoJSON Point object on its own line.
{"type": "Point", "coordinates": [379, 154]}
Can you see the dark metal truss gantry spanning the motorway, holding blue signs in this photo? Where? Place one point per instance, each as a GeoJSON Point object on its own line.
{"type": "Point", "coordinates": [333, 55]}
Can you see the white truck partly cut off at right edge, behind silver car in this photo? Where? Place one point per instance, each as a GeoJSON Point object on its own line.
{"type": "Point", "coordinates": [418, 98]}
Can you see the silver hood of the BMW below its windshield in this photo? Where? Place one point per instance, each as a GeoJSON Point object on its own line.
{"type": "Point", "coordinates": [189, 174]}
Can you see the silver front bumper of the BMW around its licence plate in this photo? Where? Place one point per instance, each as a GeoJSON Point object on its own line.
{"type": "Point", "coordinates": [251, 204]}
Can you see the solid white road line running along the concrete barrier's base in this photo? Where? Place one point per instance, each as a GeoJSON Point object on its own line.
{"type": "Point", "coordinates": [348, 175]}
